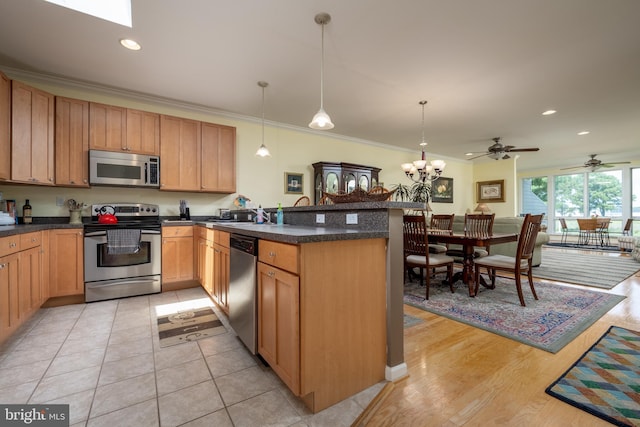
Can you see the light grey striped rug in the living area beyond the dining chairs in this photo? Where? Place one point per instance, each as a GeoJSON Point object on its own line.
{"type": "Point", "coordinates": [599, 271]}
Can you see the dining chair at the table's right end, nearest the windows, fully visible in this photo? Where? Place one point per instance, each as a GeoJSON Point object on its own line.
{"type": "Point", "coordinates": [519, 265]}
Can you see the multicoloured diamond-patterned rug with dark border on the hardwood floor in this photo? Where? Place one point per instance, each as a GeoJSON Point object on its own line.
{"type": "Point", "coordinates": [605, 381]}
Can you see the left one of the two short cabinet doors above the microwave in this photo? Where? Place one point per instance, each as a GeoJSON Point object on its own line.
{"type": "Point", "coordinates": [107, 127]}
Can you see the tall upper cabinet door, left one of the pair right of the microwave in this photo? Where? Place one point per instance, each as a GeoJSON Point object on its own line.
{"type": "Point", "coordinates": [179, 153]}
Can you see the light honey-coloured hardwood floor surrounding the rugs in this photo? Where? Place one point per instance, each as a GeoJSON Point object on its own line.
{"type": "Point", "coordinates": [463, 376]}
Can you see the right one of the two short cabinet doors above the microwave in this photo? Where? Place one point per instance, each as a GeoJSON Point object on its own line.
{"type": "Point", "coordinates": [143, 132]}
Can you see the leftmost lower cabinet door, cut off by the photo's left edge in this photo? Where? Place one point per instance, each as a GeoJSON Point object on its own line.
{"type": "Point", "coordinates": [9, 303]}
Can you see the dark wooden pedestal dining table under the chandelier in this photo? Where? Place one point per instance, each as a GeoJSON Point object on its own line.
{"type": "Point", "coordinates": [469, 241]}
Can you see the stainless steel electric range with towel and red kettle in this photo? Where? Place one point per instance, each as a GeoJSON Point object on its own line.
{"type": "Point", "coordinates": [122, 259]}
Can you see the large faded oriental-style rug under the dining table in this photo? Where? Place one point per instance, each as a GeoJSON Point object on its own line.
{"type": "Point", "coordinates": [560, 314]}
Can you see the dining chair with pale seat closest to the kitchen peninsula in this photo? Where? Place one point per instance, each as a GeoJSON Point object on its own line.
{"type": "Point", "coordinates": [416, 251]}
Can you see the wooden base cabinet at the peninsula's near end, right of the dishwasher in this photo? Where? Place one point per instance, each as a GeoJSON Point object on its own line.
{"type": "Point", "coordinates": [322, 316]}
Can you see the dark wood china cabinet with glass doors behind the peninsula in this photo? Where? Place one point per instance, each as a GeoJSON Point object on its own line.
{"type": "Point", "coordinates": [332, 178]}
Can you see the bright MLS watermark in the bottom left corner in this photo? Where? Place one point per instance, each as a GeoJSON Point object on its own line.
{"type": "Point", "coordinates": [34, 415]}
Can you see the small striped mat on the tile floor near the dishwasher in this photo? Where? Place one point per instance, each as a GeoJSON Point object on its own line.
{"type": "Point", "coordinates": [188, 324]}
